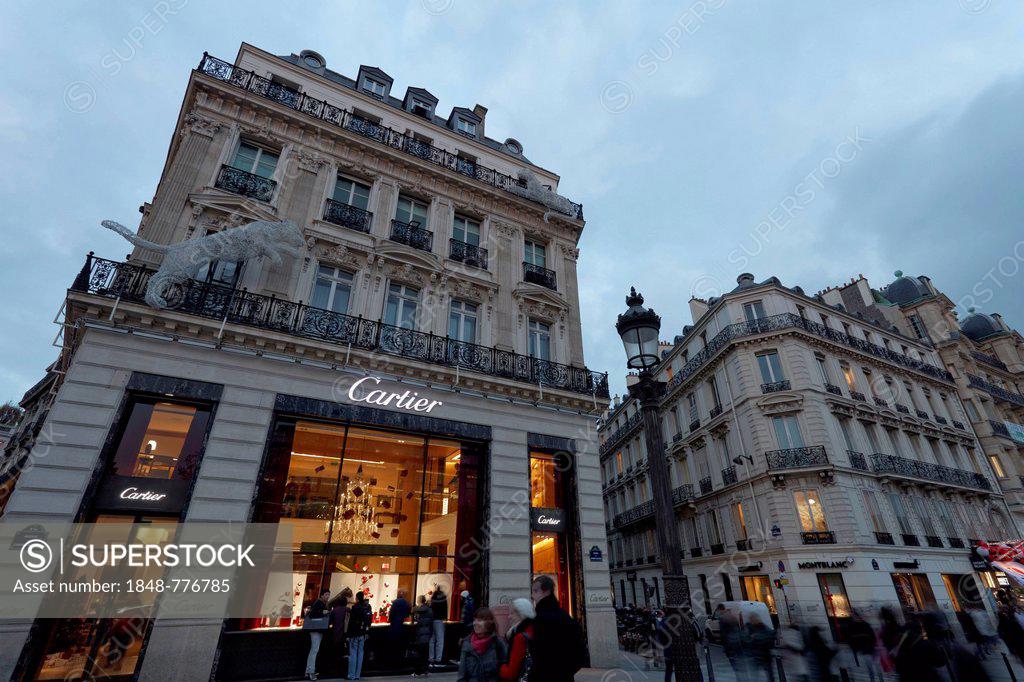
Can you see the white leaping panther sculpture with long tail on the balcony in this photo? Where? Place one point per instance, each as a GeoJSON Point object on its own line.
{"type": "Point", "coordinates": [183, 262]}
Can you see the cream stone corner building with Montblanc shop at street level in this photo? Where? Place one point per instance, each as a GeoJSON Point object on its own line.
{"type": "Point", "coordinates": [822, 460]}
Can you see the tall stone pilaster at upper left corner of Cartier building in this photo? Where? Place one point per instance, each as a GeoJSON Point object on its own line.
{"type": "Point", "coordinates": [184, 177]}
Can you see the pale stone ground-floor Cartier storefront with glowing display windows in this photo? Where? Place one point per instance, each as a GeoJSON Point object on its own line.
{"type": "Point", "coordinates": [388, 485]}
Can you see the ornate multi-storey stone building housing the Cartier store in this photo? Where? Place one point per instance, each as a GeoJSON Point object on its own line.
{"type": "Point", "coordinates": [440, 267]}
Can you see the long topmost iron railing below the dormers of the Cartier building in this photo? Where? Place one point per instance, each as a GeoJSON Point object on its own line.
{"type": "Point", "coordinates": [251, 82]}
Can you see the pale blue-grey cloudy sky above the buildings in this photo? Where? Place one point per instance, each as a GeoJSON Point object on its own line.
{"type": "Point", "coordinates": [810, 141]}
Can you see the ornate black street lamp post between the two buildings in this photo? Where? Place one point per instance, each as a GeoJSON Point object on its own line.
{"type": "Point", "coordinates": [639, 329]}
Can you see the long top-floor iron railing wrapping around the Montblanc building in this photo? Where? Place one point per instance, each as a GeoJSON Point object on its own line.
{"type": "Point", "coordinates": [786, 322]}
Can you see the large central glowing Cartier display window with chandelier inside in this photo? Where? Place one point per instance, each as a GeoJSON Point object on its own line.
{"type": "Point", "coordinates": [370, 510]}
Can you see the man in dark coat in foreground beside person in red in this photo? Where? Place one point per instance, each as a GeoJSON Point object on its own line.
{"type": "Point", "coordinates": [559, 651]}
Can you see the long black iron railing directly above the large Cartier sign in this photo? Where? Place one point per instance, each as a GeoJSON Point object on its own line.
{"type": "Point", "coordinates": [127, 282]}
